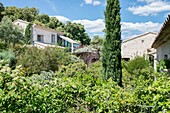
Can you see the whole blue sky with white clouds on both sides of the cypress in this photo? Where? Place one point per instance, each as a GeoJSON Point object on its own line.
{"type": "Point", "coordinates": [138, 16]}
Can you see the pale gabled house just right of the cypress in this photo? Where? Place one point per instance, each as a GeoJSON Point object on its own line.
{"type": "Point", "coordinates": [138, 46]}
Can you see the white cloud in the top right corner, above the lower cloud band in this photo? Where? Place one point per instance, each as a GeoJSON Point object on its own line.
{"type": "Point", "coordinates": [152, 7]}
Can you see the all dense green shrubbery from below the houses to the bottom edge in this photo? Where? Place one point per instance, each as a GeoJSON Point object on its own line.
{"type": "Point", "coordinates": [71, 86]}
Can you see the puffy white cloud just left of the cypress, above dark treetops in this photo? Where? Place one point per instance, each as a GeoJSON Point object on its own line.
{"type": "Point", "coordinates": [92, 26]}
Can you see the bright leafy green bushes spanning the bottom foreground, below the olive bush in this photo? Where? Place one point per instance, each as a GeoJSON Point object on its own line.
{"type": "Point", "coordinates": [86, 93]}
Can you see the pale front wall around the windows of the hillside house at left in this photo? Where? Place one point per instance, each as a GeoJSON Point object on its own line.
{"type": "Point", "coordinates": [46, 35]}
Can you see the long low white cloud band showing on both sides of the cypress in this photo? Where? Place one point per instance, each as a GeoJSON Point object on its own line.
{"type": "Point", "coordinates": [129, 29]}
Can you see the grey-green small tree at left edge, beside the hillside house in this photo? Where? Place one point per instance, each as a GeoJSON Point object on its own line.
{"type": "Point", "coordinates": [10, 33]}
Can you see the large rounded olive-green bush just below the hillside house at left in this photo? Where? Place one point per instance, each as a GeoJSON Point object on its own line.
{"type": "Point", "coordinates": [36, 60]}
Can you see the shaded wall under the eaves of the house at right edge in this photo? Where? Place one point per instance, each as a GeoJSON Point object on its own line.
{"type": "Point", "coordinates": [162, 50]}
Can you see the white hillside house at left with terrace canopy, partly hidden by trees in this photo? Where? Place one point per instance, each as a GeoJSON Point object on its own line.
{"type": "Point", "coordinates": [43, 36]}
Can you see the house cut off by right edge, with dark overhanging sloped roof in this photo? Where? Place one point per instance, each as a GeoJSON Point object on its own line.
{"type": "Point", "coordinates": [162, 42]}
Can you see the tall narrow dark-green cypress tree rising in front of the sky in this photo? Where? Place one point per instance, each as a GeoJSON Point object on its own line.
{"type": "Point", "coordinates": [111, 57]}
